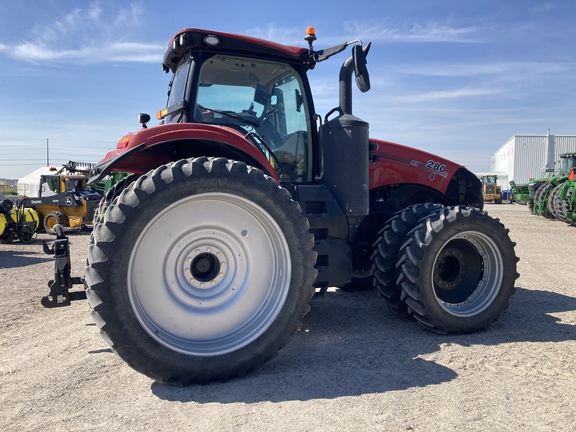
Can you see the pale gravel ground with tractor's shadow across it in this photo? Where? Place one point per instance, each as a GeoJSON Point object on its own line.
{"type": "Point", "coordinates": [353, 366]}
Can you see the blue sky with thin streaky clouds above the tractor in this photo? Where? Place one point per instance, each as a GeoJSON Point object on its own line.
{"type": "Point", "coordinates": [453, 77]}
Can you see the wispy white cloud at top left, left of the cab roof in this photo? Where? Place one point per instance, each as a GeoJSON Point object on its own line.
{"type": "Point", "coordinates": [93, 34]}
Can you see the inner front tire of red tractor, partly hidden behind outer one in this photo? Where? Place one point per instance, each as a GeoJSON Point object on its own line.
{"type": "Point", "coordinates": [385, 256]}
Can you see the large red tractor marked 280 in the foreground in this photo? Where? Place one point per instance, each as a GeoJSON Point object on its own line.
{"type": "Point", "coordinates": [244, 201]}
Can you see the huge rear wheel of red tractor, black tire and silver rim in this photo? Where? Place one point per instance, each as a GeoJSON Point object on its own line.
{"type": "Point", "coordinates": [200, 270]}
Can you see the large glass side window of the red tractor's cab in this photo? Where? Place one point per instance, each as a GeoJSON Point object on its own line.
{"type": "Point", "coordinates": [264, 99]}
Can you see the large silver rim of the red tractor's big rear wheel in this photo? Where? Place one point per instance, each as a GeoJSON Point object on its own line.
{"type": "Point", "coordinates": [209, 274]}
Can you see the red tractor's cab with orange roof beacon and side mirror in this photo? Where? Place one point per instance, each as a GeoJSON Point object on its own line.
{"type": "Point", "coordinates": [258, 89]}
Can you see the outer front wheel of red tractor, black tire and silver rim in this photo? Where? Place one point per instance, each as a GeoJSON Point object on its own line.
{"type": "Point", "coordinates": [459, 270]}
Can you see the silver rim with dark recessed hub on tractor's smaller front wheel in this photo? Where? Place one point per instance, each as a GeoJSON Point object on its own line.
{"type": "Point", "coordinates": [467, 274]}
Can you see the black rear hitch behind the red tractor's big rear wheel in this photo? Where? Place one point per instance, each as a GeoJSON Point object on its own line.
{"type": "Point", "coordinates": [59, 295]}
